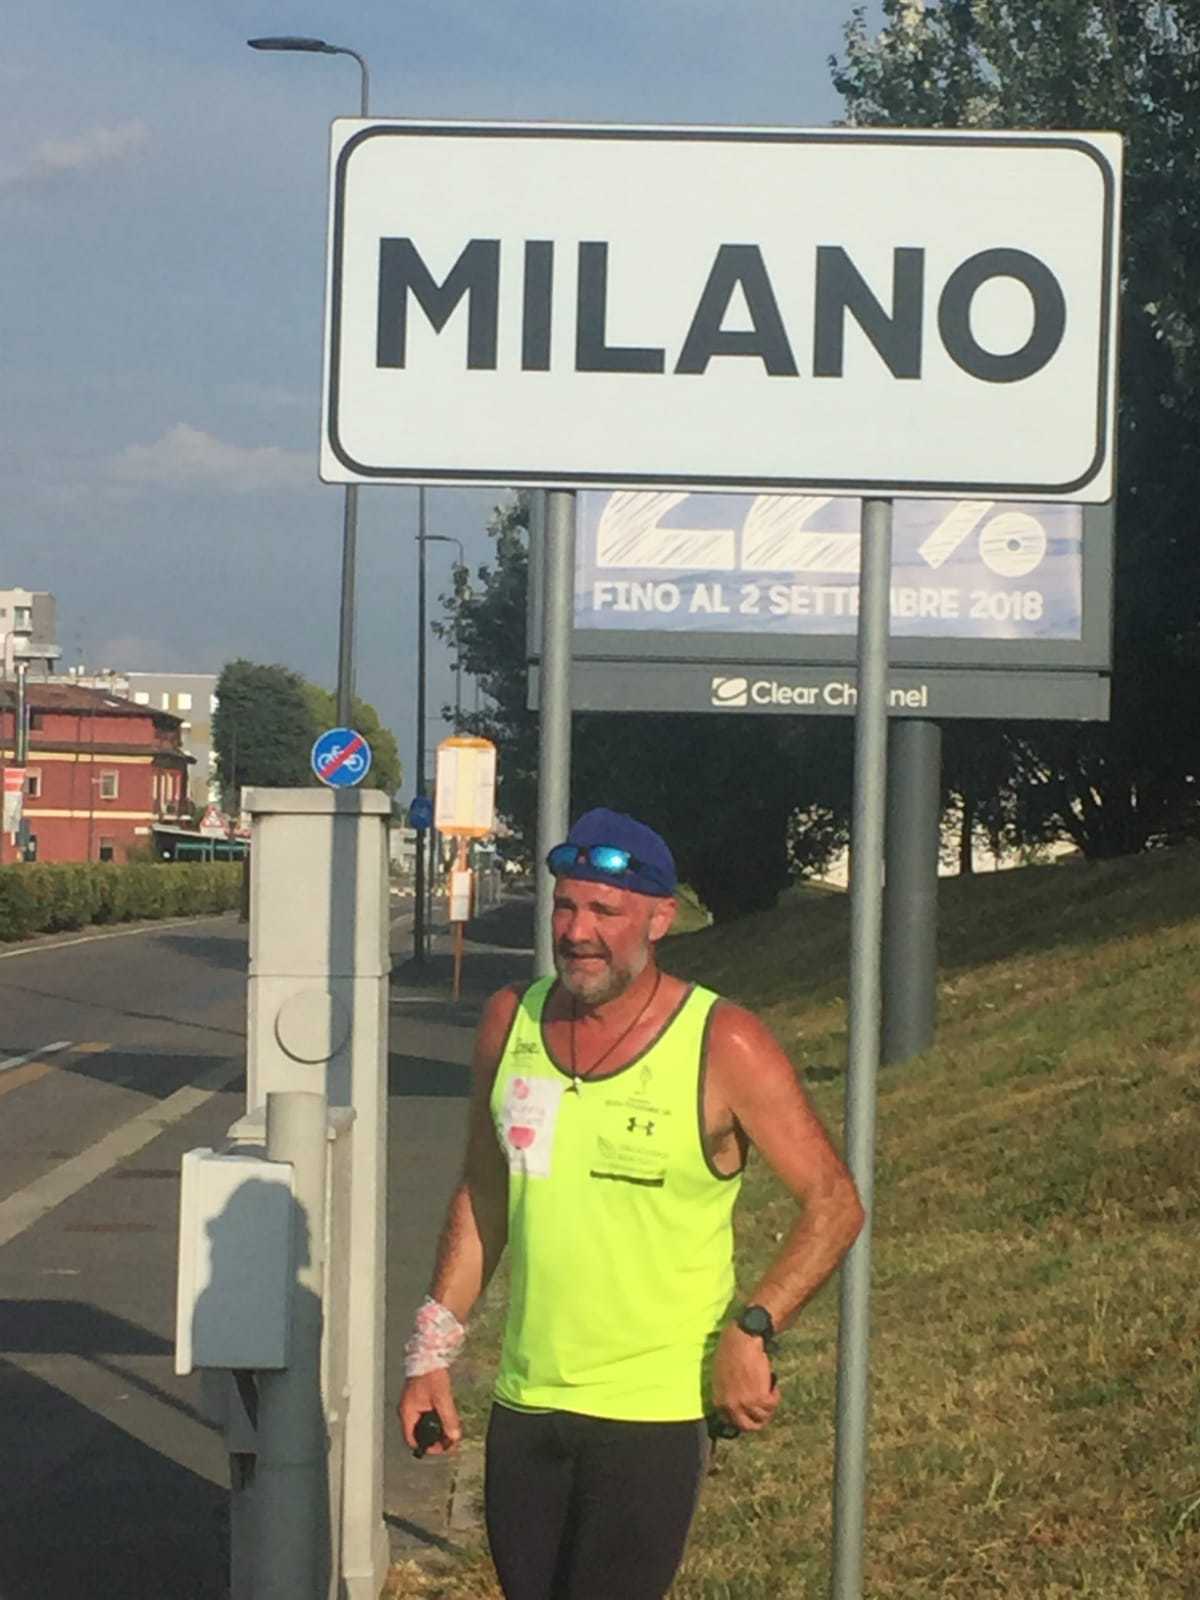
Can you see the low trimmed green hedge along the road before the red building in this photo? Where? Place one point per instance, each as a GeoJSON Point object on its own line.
{"type": "Point", "coordinates": [44, 898]}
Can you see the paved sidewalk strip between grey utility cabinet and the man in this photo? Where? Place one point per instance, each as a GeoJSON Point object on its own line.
{"type": "Point", "coordinates": [430, 1084]}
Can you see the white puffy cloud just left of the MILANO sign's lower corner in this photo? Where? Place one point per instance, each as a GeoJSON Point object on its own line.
{"type": "Point", "coordinates": [188, 458]}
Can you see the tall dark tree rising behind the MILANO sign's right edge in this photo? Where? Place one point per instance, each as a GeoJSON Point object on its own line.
{"type": "Point", "coordinates": [1135, 66]}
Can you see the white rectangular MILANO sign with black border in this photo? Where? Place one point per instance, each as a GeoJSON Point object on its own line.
{"type": "Point", "coordinates": [865, 313]}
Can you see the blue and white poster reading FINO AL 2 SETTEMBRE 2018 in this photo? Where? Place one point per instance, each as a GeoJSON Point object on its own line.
{"type": "Point", "coordinates": [786, 567]}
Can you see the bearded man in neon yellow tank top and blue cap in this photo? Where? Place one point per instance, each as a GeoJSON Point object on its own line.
{"type": "Point", "coordinates": [612, 1116]}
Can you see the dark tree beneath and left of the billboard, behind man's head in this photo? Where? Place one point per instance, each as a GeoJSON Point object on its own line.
{"type": "Point", "coordinates": [722, 790]}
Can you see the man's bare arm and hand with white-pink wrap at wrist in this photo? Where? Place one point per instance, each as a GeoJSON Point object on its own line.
{"type": "Point", "coordinates": [476, 1228]}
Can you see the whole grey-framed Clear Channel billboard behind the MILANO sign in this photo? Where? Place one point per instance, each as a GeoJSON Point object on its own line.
{"type": "Point", "coordinates": [718, 602]}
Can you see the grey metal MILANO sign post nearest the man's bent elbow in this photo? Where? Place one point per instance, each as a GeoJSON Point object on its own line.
{"type": "Point", "coordinates": [866, 930]}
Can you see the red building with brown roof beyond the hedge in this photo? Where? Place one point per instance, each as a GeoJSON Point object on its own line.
{"type": "Point", "coordinates": [102, 772]}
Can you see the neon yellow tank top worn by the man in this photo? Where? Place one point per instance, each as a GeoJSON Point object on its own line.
{"type": "Point", "coordinates": [620, 1228]}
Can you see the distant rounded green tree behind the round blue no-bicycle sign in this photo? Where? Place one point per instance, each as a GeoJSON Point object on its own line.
{"type": "Point", "coordinates": [266, 722]}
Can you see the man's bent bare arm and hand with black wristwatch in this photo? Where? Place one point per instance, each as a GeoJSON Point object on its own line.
{"type": "Point", "coordinates": [764, 1095]}
